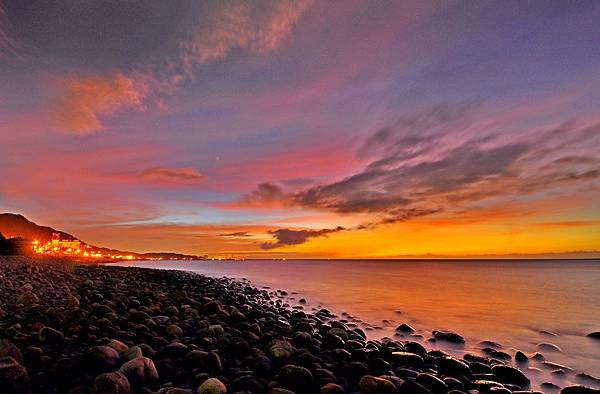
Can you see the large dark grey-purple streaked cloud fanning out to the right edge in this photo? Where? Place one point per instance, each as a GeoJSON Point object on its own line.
{"type": "Point", "coordinates": [438, 161]}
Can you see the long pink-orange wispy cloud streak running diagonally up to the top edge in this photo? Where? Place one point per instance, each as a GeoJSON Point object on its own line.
{"type": "Point", "coordinates": [256, 27]}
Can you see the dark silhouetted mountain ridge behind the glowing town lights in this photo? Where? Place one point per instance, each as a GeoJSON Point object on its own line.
{"type": "Point", "coordinates": [18, 226]}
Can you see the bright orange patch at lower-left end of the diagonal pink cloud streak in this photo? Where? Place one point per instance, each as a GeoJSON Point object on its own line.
{"type": "Point", "coordinates": [86, 99]}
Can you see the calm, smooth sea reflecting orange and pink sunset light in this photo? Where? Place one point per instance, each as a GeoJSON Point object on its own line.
{"type": "Point", "coordinates": [516, 303]}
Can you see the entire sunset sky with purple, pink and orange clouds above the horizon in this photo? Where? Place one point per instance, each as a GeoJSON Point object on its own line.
{"type": "Point", "coordinates": [305, 129]}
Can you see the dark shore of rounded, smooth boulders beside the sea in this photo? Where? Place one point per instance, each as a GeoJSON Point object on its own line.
{"type": "Point", "coordinates": [71, 328]}
